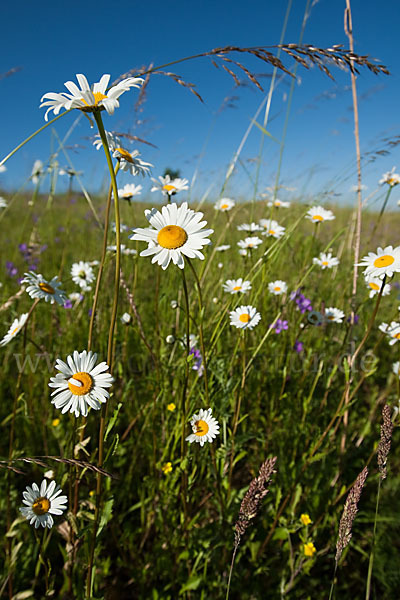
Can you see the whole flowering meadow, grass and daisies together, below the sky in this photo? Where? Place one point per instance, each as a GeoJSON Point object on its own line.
{"type": "Point", "coordinates": [228, 440]}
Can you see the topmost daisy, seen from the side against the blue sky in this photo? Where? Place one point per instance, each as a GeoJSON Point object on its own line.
{"type": "Point", "coordinates": [89, 99]}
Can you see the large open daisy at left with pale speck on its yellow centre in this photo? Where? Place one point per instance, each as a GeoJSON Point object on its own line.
{"type": "Point", "coordinates": [80, 384]}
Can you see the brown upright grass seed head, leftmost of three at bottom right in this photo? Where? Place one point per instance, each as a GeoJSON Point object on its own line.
{"type": "Point", "coordinates": [252, 500]}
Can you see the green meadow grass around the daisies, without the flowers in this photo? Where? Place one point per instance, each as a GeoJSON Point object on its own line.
{"type": "Point", "coordinates": [167, 531]}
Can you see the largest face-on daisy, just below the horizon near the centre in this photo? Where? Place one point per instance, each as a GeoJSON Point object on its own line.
{"type": "Point", "coordinates": [175, 232]}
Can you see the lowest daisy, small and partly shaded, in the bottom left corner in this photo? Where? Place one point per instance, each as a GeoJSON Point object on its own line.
{"type": "Point", "coordinates": [43, 502]}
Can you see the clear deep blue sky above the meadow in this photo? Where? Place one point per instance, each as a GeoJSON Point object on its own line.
{"type": "Point", "coordinates": [52, 43]}
